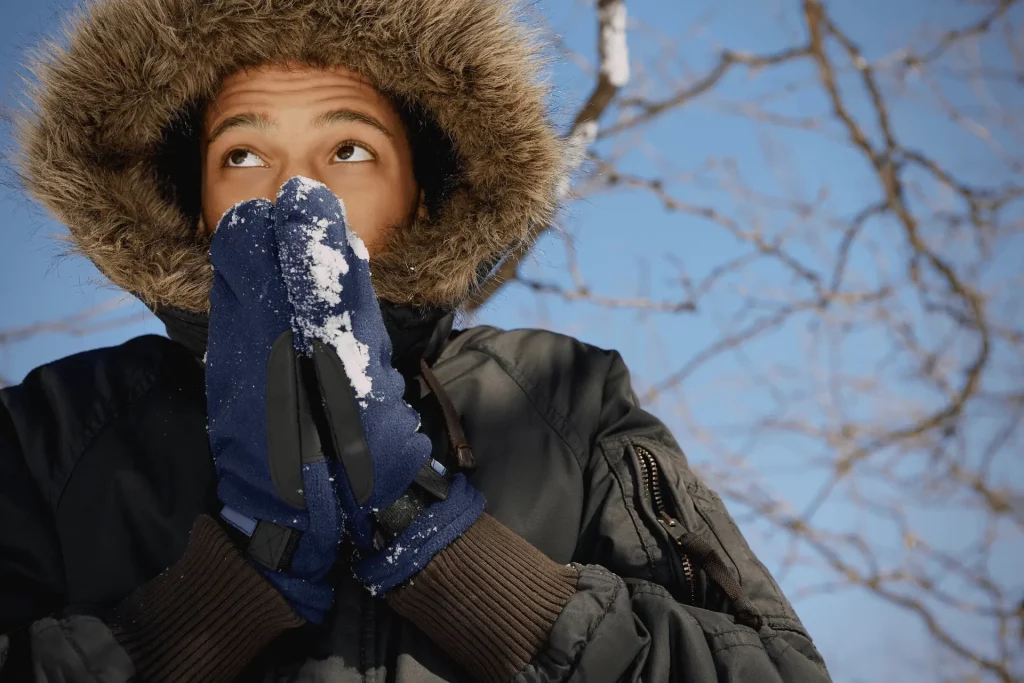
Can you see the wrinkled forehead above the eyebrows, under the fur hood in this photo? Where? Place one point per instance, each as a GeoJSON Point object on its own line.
{"type": "Point", "coordinates": [296, 89]}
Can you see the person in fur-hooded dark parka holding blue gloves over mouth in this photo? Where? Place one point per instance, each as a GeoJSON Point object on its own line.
{"type": "Point", "coordinates": [316, 478]}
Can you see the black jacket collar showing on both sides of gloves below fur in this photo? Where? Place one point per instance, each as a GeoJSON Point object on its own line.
{"type": "Point", "coordinates": [416, 333]}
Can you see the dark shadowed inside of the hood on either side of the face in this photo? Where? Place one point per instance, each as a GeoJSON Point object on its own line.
{"type": "Point", "coordinates": [180, 158]}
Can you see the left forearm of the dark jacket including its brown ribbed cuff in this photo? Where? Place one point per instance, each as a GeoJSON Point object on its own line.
{"type": "Point", "coordinates": [205, 619]}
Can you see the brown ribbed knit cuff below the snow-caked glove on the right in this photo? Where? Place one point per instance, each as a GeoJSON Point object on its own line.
{"type": "Point", "coordinates": [490, 601]}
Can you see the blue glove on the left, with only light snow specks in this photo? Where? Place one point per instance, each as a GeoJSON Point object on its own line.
{"type": "Point", "coordinates": [278, 492]}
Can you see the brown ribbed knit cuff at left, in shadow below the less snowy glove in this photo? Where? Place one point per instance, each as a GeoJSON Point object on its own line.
{"type": "Point", "coordinates": [205, 618]}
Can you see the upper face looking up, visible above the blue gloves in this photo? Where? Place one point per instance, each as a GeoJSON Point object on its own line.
{"type": "Point", "coordinates": [271, 124]}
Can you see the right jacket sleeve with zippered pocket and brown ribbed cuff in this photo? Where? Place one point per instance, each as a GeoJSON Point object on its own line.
{"type": "Point", "coordinates": [659, 602]}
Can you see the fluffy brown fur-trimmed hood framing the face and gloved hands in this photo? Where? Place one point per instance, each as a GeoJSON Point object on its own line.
{"type": "Point", "coordinates": [110, 105]}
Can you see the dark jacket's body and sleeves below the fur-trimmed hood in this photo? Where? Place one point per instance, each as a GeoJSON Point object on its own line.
{"type": "Point", "coordinates": [105, 467]}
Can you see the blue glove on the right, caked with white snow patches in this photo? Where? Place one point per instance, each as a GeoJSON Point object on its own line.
{"type": "Point", "coordinates": [401, 508]}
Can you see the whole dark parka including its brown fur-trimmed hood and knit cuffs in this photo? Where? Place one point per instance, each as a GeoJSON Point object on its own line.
{"type": "Point", "coordinates": [602, 557]}
